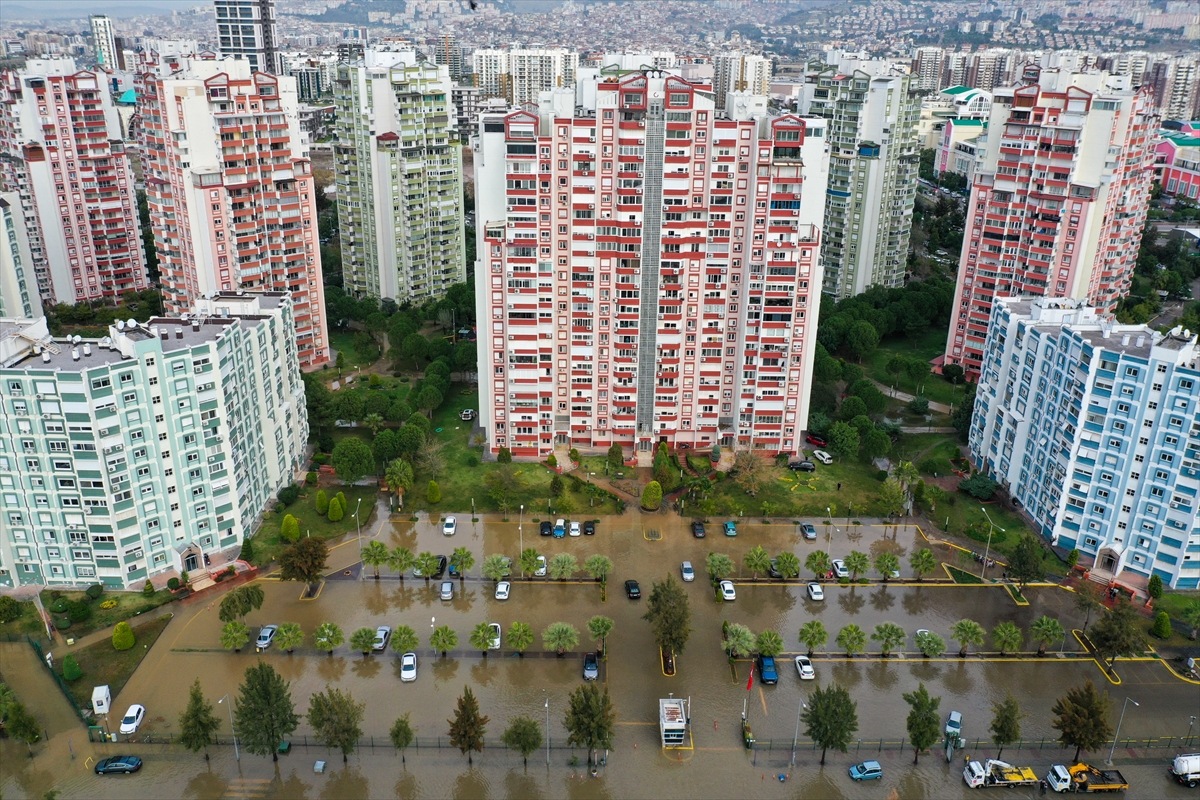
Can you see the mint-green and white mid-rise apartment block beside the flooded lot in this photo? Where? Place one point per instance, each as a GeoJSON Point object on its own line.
{"type": "Point", "coordinates": [137, 454]}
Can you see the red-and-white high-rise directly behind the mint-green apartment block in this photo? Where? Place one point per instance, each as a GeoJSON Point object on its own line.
{"type": "Point", "coordinates": [231, 187]}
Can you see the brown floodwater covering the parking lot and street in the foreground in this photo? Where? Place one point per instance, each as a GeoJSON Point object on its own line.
{"type": "Point", "coordinates": [645, 549]}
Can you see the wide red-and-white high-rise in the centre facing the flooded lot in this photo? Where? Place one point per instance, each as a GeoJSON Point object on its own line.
{"type": "Point", "coordinates": [649, 270]}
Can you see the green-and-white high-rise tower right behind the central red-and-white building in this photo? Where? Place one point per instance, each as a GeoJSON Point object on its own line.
{"type": "Point", "coordinates": [873, 111]}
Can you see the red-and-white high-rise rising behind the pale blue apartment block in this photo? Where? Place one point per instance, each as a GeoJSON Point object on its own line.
{"type": "Point", "coordinates": [1059, 200]}
